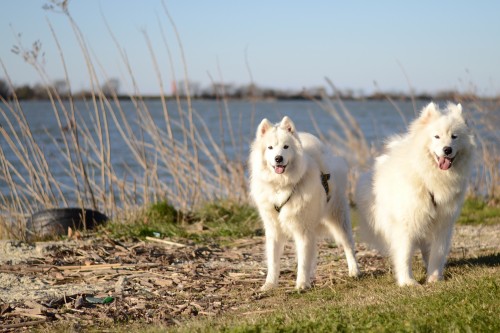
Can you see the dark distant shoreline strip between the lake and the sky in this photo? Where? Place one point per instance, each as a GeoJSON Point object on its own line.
{"type": "Point", "coordinates": [111, 89]}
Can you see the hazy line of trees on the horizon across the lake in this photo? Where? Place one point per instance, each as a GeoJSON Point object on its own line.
{"type": "Point", "coordinates": [110, 88]}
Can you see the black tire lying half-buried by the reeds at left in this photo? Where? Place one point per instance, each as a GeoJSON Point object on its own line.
{"type": "Point", "coordinates": [56, 221]}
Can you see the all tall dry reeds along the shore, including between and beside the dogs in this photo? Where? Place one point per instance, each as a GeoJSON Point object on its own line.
{"type": "Point", "coordinates": [160, 165]}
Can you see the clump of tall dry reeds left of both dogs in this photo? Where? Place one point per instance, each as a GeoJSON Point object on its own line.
{"type": "Point", "coordinates": [85, 152]}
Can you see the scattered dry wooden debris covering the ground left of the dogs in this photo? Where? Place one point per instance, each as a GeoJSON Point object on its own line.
{"type": "Point", "coordinates": [156, 281]}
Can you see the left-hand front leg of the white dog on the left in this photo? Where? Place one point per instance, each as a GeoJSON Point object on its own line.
{"type": "Point", "coordinates": [274, 249]}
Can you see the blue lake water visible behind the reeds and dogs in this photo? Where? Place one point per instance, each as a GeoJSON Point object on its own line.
{"type": "Point", "coordinates": [232, 126]}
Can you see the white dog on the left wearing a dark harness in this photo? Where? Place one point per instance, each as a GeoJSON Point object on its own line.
{"type": "Point", "coordinates": [299, 189]}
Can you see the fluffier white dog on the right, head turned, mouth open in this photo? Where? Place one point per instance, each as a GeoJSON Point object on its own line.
{"type": "Point", "coordinates": [414, 194]}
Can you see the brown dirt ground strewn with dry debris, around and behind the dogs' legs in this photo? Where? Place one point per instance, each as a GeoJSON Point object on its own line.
{"type": "Point", "coordinates": [100, 280]}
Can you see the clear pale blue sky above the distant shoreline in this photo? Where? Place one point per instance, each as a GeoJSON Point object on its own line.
{"type": "Point", "coordinates": [363, 46]}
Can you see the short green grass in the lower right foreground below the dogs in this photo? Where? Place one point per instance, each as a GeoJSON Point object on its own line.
{"type": "Point", "coordinates": [467, 303]}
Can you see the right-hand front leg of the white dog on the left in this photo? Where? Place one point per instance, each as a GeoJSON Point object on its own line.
{"type": "Point", "coordinates": [306, 252]}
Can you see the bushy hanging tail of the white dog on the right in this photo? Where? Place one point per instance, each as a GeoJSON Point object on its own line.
{"type": "Point", "coordinates": [365, 202]}
